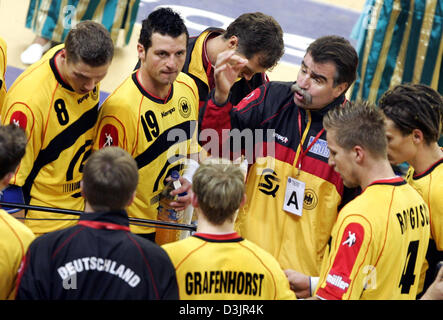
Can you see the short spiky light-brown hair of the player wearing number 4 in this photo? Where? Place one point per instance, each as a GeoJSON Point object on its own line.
{"type": "Point", "coordinates": [360, 123]}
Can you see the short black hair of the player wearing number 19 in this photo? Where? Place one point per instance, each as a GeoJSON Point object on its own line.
{"type": "Point", "coordinates": [164, 21]}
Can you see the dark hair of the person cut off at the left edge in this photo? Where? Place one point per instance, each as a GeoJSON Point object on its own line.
{"type": "Point", "coordinates": [12, 148]}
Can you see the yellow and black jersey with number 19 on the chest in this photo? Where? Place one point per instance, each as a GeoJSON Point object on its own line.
{"type": "Point", "coordinates": [159, 134]}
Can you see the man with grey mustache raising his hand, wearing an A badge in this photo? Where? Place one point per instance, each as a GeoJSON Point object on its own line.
{"type": "Point", "coordinates": [294, 198]}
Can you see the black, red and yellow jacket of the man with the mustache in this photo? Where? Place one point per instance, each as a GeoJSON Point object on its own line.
{"type": "Point", "coordinates": [286, 142]}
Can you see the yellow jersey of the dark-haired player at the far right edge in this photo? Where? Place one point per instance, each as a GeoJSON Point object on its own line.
{"type": "Point", "coordinates": [430, 186]}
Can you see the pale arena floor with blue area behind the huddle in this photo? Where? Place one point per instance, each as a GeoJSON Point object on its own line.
{"type": "Point", "coordinates": [301, 20]}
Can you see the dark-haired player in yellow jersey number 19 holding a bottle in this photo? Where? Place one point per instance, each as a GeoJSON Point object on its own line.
{"type": "Point", "coordinates": [149, 110]}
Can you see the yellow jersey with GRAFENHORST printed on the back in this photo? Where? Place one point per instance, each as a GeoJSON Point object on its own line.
{"type": "Point", "coordinates": [226, 267]}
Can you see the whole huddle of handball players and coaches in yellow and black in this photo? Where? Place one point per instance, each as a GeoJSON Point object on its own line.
{"type": "Point", "coordinates": [322, 210]}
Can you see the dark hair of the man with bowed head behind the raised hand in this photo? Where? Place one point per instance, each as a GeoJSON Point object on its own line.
{"type": "Point", "coordinates": [260, 34]}
